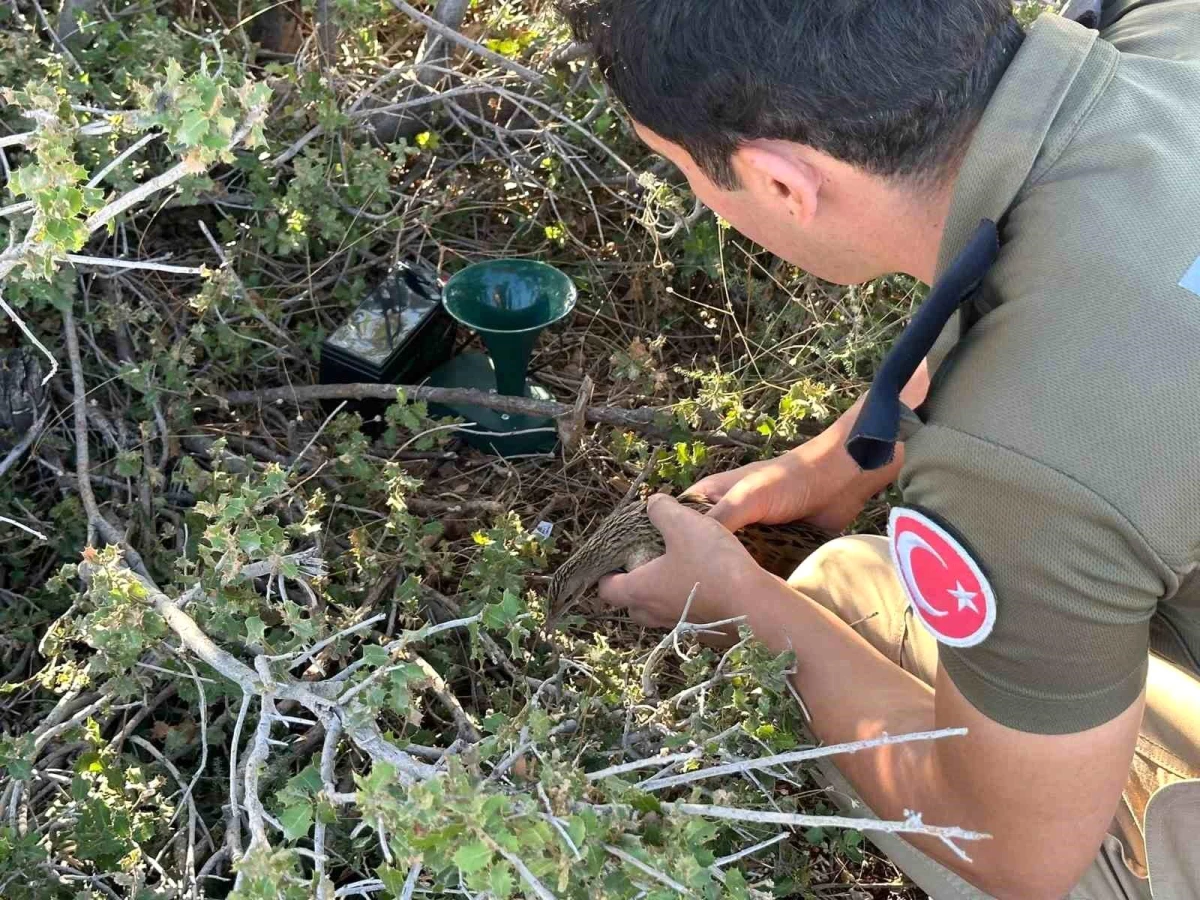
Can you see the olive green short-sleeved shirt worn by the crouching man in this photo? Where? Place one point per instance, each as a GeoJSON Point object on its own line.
{"type": "Point", "coordinates": [1061, 437]}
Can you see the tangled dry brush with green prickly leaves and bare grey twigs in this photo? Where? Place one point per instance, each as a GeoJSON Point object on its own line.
{"type": "Point", "coordinates": [260, 646]}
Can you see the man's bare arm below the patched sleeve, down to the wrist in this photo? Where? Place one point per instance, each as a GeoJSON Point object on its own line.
{"type": "Point", "coordinates": [1046, 800]}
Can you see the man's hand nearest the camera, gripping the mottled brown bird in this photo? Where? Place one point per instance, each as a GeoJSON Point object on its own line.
{"type": "Point", "coordinates": [699, 551]}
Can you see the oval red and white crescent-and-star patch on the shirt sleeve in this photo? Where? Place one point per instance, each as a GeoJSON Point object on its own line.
{"type": "Point", "coordinates": [946, 587]}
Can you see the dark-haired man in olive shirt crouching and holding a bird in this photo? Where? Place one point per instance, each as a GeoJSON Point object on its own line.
{"type": "Point", "coordinates": [1041, 413]}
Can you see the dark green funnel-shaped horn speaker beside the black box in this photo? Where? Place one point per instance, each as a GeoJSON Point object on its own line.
{"type": "Point", "coordinates": [509, 303]}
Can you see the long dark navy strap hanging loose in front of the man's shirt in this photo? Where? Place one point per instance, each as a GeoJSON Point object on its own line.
{"type": "Point", "coordinates": [872, 442]}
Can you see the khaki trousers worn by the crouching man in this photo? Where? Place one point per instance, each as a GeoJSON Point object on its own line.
{"type": "Point", "coordinates": [1153, 849]}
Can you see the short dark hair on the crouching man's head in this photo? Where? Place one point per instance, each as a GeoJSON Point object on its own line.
{"type": "Point", "coordinates": [893, 87]}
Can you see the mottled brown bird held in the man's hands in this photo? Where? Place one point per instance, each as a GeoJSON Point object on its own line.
{"type": "Point", "coordinates": [628, 539]}
